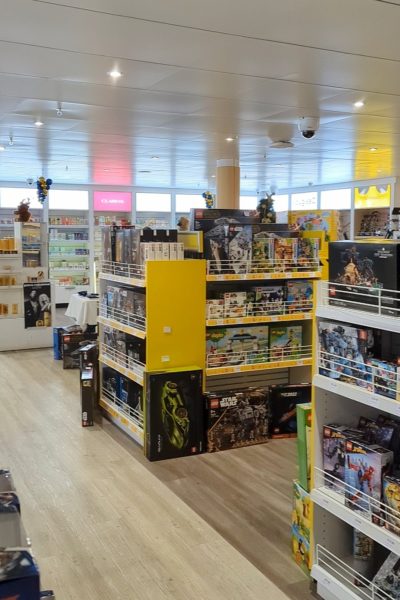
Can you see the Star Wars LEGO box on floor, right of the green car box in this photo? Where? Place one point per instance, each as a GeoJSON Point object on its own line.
{"type": "Point", "coordinates": [236, 419]}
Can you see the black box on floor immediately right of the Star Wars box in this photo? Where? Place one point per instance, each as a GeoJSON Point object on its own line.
{"type": "Point", "coordinates": [283, 401]}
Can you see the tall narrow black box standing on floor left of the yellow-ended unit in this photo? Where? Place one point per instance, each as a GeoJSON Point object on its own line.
{"type": "Point", "coordinates": [89, 380]}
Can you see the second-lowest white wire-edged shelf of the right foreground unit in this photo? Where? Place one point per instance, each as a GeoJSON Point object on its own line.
{"type": "Point", "coordinates": [358, 509]}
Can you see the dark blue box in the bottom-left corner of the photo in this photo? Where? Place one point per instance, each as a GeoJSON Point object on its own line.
{"type": "Point", "coordinates": [19, 575]}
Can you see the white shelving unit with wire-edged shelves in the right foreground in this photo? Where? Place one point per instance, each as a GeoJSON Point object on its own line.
{"type": "Point", "coordinates": [343, 403]}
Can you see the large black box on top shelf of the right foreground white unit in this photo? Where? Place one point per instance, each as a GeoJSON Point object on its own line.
{"type": "Point", "coordinates": [365, 268]}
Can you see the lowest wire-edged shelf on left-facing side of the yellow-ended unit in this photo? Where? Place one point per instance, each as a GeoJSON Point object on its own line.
{"type": "Point", "coordinates": [125, 417]}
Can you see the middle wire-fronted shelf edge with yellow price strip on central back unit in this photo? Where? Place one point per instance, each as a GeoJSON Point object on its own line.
{"type": "Point", "coordinates": [274, 311]}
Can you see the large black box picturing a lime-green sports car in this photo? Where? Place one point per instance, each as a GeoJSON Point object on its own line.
{"type": "Point", "coordinates": [174, 414]}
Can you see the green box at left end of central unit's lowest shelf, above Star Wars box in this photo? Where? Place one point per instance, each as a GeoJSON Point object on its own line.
{"type": "Point", "coordinates": [237, 345]}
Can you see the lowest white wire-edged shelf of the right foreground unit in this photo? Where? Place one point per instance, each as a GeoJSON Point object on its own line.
{"type": "Point", "coordinates": [341, 580]}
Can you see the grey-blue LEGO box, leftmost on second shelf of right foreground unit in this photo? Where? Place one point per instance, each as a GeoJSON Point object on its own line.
{"type": "Point", "coordinates": [343, 353]}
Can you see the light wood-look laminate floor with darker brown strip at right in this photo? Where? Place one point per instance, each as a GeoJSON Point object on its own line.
{"type": "Point", "coordinates": [107, 524]}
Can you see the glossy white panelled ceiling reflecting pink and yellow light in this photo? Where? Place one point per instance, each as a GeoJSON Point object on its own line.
{"type": "Point", "coordinates": [195, 73]}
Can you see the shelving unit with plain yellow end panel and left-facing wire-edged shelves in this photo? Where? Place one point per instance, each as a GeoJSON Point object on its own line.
{"type": "Point", "coordinates": [173, 329]}
